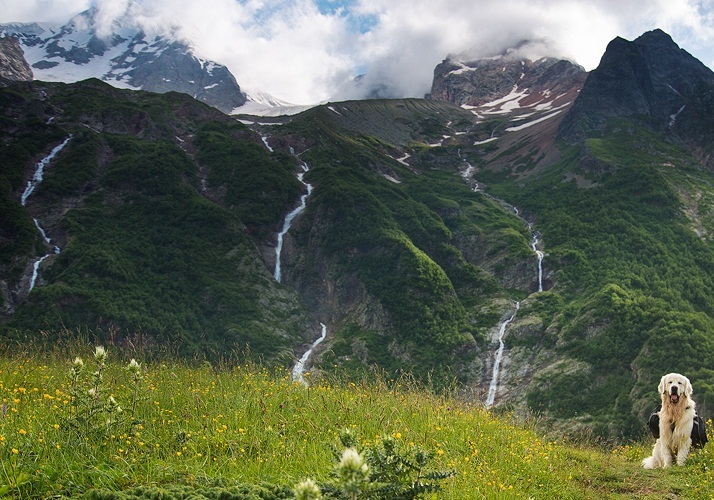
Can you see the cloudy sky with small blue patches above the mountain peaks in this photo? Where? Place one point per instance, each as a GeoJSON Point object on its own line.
{"type": "Point", "coordinates": [304, 51]}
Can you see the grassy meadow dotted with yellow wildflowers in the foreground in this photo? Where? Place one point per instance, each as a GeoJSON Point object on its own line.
{"type": "Point", "coordinates": [187, 428]}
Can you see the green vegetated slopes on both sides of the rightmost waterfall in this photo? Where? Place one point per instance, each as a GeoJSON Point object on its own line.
{"type": "Point", "coordinates": [625, 218]}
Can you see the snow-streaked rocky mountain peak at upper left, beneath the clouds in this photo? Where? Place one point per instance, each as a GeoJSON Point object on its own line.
{"type": "Point", "coordinates": [127, 57]}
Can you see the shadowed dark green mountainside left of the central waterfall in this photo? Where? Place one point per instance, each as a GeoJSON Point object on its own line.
{"type": "Point", "coordinates": [153, 203]}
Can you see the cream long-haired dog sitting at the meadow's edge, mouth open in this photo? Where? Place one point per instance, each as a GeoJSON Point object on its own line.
{"type": "Point", "coordinates": [676, 419]}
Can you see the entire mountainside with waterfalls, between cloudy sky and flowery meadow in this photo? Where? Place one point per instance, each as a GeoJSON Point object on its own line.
{"type": "Point", "coordinates": [539, 235]}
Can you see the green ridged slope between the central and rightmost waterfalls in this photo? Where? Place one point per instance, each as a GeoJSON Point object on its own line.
{"type": "Point", "coordinates": [399, 235]}
